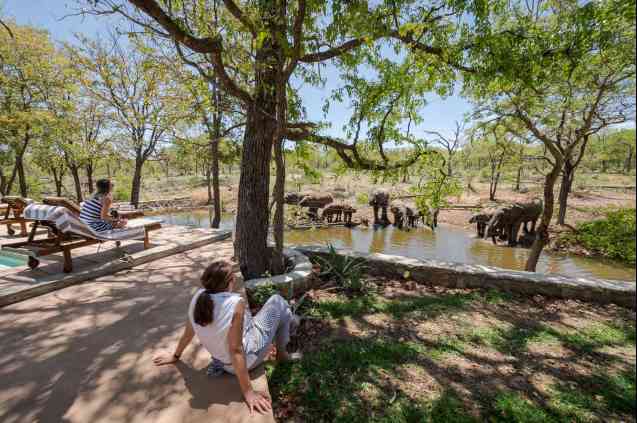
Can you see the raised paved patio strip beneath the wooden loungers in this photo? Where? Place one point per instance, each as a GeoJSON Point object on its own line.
{"type": "Point", "coordinates": [17, 284]}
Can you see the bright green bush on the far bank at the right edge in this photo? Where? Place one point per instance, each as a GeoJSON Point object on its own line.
{"type": "Point", "coordinates": [613, 236]}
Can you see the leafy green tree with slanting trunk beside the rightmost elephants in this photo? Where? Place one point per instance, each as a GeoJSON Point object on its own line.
{"type": "Point", "coordinates": [563, 71]}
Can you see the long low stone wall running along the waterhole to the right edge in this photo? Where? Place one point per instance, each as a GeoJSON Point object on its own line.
{"type": "Point", "coordinates": [458, 275]}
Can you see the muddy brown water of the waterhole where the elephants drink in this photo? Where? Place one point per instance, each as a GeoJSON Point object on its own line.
{"type": "Point", "coordinates": [447, 243]}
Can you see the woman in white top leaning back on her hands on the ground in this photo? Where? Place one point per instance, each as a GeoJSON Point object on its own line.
{"type": "Point", "coordinates": [237, 342]}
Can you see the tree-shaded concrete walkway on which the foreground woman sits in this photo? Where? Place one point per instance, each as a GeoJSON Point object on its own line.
{"type": "Point", "coordinates": [84, 353]}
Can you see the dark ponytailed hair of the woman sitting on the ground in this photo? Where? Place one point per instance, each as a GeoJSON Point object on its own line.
{"type": "Point", "coordinates": [216, 278]}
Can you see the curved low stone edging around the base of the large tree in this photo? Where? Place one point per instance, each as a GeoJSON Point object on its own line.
{"type": "Point", "coordinates": [297, 281]}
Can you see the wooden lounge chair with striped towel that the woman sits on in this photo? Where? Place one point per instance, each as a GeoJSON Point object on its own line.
{"type": "Point", "coordinates": [67, 232]}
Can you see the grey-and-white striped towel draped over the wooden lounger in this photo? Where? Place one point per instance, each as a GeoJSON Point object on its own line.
{"type": "Point", "coordinates": [67, 222]}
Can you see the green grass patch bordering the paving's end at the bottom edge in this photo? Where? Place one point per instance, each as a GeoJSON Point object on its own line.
{"type": "Point", "coordinates": [330, 385]}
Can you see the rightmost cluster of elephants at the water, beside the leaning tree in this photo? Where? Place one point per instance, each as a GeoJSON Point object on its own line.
{"type": "Point", "coordinates": [505, 222]}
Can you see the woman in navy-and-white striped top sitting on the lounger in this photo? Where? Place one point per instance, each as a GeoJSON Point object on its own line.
{"type": "Point", "coordinates": [96, 211]}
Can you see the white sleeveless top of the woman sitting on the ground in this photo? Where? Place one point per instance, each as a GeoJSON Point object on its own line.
{"type": "Point", "coordinates": [214, 337]}
